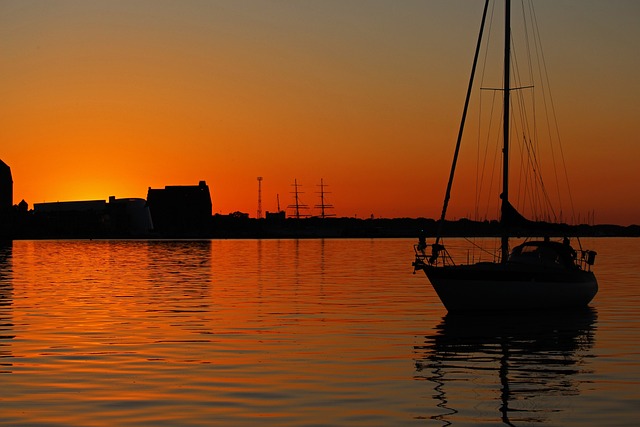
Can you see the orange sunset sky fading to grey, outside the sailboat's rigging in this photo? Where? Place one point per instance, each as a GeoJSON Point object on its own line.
{"type": "Point", "coordinates": [105, 98]}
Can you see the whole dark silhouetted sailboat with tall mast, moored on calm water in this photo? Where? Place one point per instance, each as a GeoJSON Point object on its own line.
{"type": "Point", "coordinates": [537, 274]}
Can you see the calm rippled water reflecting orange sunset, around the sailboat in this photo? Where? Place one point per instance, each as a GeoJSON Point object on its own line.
{"type": "Point", "coordinates": [297, 333]}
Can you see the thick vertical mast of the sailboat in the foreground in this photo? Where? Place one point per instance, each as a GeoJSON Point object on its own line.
{"type": "Point", "coordinates": [505, 129]}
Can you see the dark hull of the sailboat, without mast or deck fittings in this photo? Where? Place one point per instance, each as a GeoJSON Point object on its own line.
{"type": "Point", "coordinates": [488, 286]}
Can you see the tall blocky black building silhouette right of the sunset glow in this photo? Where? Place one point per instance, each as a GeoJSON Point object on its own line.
{"type": "Point", "coordinates": [181, 210]}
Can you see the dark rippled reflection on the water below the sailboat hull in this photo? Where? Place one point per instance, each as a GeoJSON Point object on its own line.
{"type": "Point", "coordinates": [526, 359]}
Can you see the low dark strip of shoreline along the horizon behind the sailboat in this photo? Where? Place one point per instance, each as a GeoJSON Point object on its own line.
{"type": "Point", "coordinates": [236, 227]}
